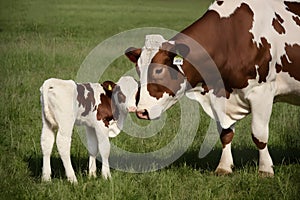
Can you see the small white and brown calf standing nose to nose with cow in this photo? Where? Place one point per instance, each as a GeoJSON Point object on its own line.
{"type": "Point", "coordinates": [101, 108]}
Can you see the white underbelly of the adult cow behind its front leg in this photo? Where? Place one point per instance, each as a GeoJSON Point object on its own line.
{"type": "Point", "coordinates": [287, 89]}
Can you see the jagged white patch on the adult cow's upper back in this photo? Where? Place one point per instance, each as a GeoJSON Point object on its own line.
{"type": "Point", "coordinates": [265, 29]}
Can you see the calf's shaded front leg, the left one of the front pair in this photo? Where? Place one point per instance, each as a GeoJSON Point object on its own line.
{"type": "Point", "coordinates": [93, 150]}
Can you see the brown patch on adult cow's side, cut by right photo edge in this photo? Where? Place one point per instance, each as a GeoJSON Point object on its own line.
{"type": "Point", "coordinates": [290, 61]}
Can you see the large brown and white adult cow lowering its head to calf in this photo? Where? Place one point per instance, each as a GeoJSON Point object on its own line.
{"type": "Point", "coordinates": [239, 58]}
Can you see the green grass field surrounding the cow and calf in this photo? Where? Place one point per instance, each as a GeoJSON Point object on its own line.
{"type": "Point", "coordinates": [43, 39]}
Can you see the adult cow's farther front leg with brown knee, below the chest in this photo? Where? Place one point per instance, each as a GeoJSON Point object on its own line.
{"type": "Point", "coordinates": [226, 162]}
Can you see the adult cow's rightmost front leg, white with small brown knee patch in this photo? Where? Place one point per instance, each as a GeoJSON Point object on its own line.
{"type": "Point", "coordinates": [261, 113]}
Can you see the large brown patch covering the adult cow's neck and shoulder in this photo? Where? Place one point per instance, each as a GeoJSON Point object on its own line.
{"type": "Point", "coordinates": [229, 42]}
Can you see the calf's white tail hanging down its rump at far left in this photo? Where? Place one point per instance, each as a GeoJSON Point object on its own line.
{"type": "Point", "coordinates": [46, 109]}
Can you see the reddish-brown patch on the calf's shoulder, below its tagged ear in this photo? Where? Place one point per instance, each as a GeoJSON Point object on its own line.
{"type": "Point", "coordinates": [104, 110]}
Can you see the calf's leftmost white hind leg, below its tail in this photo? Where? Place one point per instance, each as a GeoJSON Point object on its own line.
{"type": "Point", "coordinates": [47, 141]}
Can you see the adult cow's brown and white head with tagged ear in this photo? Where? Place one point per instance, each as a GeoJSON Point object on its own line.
{"type": "Point", "coordinates": [162, 80]}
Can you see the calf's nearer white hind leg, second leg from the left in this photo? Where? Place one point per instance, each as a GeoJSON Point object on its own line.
{"type": "Point", "coordinates": [63, 142]}
